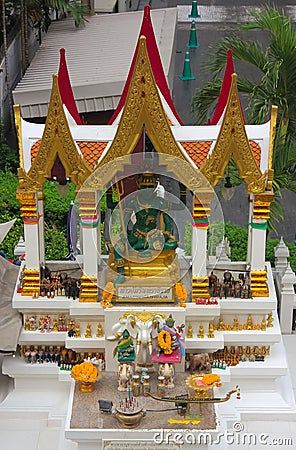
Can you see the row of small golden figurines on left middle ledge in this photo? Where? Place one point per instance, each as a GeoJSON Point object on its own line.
{"type": "Point", "coordinates": [44, 323]}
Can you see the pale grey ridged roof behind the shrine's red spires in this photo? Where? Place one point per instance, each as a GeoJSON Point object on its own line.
{"type": "Point", "coordinates": [98, 59]}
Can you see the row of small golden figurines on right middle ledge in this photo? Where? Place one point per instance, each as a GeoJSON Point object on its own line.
{"type": "Point", "coordinates": [267, 322]}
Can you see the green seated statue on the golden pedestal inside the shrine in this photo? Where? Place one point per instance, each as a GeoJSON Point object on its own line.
{"type": "Point", "coordinates": [152, 226]}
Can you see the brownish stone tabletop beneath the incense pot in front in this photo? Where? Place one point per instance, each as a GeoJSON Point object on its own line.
{"type": "Point", "coordinates": [84, 410]}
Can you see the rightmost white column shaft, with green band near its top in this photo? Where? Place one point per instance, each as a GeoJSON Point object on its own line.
{"type": "Point", "coordinates": [258, 244]}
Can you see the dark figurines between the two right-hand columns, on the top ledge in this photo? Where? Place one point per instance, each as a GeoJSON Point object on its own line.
{"type": "Point", "coordinates": [229, 286]}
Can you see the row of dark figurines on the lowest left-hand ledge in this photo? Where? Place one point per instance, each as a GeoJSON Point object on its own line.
{"type": "Point", "coordinates": [63, 357]}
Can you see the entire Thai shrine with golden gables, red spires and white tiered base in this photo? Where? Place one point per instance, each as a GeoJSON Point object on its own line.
{"type": "Point", "coordinates": [136, 321]}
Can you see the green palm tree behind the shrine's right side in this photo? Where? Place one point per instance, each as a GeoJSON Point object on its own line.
{"type": "Point", "coordinates": [276, 85]}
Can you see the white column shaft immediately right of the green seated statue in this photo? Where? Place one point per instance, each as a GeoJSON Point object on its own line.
{"type": "Point", "coordinates": [199, 251]}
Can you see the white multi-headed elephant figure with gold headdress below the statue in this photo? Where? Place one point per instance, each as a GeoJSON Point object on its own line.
{"type": "Point", "coordinates": [143, 326]}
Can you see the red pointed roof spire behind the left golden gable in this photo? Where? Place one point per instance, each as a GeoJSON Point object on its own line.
{"type": "Point", "coordinates": [66, 89]}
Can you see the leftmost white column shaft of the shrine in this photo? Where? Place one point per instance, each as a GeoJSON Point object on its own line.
{"type": "Point", "coordinates": [32, 244]}
